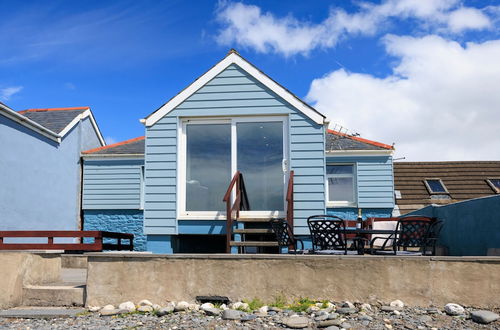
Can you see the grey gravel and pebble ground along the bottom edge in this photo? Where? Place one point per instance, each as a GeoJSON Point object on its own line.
{"type": "Point", "coordinates": [409, 318]}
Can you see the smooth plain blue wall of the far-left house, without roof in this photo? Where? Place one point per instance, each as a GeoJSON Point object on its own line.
{"type": "Point", "coordinates": [40, 179]}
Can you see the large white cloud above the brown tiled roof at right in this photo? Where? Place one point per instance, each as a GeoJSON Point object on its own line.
{"type": "Point", "coordinates": [441, 102]}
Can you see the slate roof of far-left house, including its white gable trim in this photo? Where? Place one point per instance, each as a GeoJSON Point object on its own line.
{"type": "Point", "coordinates": [61, 120]}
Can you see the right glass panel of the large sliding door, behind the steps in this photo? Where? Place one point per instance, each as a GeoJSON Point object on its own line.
{"type": "Point", "coordinates": [259, 159]}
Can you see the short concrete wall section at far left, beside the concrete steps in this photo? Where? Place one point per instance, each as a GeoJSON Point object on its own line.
{"type": "Point", "coordinates": [18, 269]}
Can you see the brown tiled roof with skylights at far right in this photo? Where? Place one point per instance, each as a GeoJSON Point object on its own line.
{"type": "Point", "coordinates": [463, 180]}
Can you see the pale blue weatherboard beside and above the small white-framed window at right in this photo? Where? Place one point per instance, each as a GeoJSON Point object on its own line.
{"type": "Point", "coordinates": [374, 179]}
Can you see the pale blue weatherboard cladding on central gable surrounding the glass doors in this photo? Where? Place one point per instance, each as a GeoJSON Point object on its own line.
{"type": "Point", "coordinates": [232, 92]}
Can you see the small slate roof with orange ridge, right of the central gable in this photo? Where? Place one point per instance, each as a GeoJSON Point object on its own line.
{"type": "Point", "coordinates": [337, 141]}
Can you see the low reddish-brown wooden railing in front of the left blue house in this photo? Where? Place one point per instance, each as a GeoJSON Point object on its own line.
{"type": "Point", "coordinates": [96, 245]}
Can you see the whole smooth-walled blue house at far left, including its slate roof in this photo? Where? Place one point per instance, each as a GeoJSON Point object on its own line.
{"type": "Point", "coordinates": [40, 167]}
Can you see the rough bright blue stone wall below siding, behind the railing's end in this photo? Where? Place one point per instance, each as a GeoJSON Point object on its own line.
{"type": "Point", "coordinates": [122, 221]}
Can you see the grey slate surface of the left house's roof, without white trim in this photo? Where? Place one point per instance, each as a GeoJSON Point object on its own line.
{"type": "Point", "coordinates": [54, 120]}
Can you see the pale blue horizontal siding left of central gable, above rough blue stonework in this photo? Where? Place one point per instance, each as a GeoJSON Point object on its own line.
{"type": "Point", "coordinates": [111, 184]}
